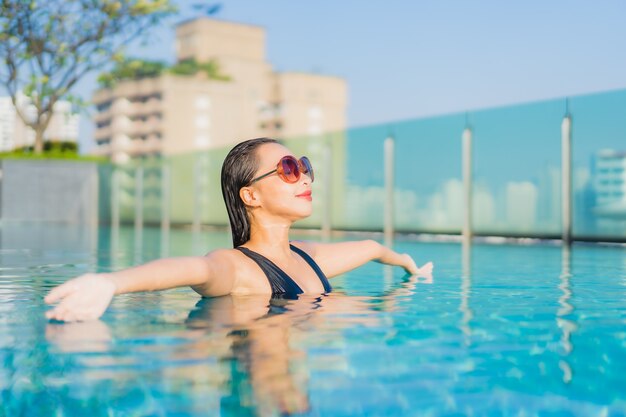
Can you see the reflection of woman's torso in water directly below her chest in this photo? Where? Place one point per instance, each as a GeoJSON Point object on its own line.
{"type": "Point", "coordinates": [263, 364]}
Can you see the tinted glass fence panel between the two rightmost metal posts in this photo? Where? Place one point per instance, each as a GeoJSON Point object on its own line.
{"type": "Point", "coordinates": [516, 166]}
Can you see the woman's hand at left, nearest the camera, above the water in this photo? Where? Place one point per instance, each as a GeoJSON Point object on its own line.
{"type": "Point", "coordinates": [82, 298]}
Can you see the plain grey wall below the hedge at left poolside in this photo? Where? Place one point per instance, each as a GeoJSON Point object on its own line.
{"type": "Point", "coordinates": [57, 191]}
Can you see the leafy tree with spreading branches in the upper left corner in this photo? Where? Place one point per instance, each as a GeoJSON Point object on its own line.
{"type": "Point", "coordinates": [47, 47]}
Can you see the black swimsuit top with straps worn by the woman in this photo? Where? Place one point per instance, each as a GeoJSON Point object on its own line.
{"type": "Point", "coordinates": [282, 284]}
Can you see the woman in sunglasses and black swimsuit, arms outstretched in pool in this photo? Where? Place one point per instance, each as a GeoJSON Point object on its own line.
{"type": "Point", "coordinates": [266, 189]}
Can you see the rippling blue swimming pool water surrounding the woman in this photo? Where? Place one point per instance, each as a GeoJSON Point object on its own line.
{"type": "Point", "coordinates": [502, 330]}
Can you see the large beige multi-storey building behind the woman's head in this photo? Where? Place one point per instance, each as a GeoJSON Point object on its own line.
{"type": "Point", "coordinates": [172, 114]}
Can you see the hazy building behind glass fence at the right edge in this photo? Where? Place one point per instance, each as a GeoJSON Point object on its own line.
{"type": "Point", "coordinates": [609, 183]}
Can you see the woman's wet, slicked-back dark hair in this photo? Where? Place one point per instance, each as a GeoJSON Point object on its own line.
{"type": "Point", "coordinates": [237, 171]}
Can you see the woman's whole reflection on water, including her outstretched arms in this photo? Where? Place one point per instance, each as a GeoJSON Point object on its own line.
{"type": "Point", "coordinates": [262, 369]}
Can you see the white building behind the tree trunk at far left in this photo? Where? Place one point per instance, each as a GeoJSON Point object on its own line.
{"type": "Point", "coordinates": [15, 134]}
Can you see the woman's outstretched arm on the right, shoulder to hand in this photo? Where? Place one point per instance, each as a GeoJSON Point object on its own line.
{"type": "Point", "coordinates": [338, 258]}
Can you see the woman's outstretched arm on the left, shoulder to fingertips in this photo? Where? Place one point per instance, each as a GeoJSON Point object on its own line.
{"type": "Point", "coordinates": [88, 296]}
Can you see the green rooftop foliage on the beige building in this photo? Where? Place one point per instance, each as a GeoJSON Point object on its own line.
{"type": "Point", "coordinates": [135, 69]}
